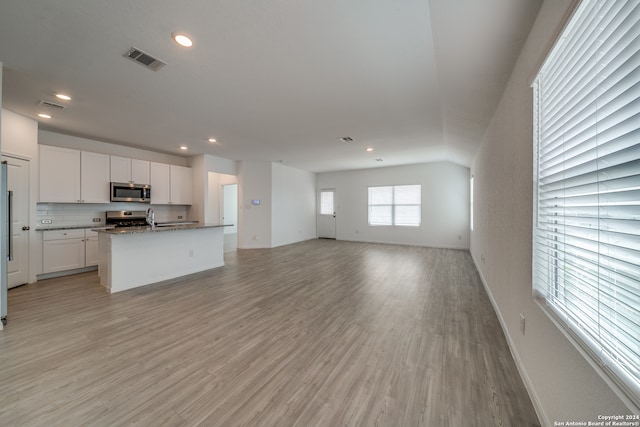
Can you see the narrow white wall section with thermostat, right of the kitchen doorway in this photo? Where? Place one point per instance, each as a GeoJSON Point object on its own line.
{"type": "Point", "coordinates": [254, 221]}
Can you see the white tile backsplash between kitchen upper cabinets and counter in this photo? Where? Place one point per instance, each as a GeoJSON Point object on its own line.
{"type": "Point", "coordinates": [72, 214]}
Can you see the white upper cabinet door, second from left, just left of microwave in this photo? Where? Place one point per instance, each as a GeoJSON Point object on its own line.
{"type": "Point", "coordinates": [95, 177]}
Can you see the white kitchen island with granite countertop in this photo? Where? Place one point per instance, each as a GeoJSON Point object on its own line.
{"type": "Point", "coordinates": [130, 257]}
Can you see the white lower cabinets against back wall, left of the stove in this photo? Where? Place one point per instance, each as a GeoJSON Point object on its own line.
{"type": "Point", "coordinates": [68, 250]}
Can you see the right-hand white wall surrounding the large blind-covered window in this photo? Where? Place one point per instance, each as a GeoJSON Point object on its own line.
{"type": "Point", "coordinates": [563, 386]}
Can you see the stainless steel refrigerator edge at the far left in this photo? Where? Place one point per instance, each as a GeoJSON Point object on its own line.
{"type": "Point", "coordinates": [5, 240]}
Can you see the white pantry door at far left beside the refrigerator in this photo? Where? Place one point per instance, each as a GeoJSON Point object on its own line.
{"type": "Point", "coordinates": [18, 185]}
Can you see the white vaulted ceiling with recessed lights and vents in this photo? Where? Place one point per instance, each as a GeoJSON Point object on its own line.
{"type": "Point", "coordinates": [277, 80]}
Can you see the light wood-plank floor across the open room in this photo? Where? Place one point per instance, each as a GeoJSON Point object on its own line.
{"type": "Point", "coordinates": [319, 333]}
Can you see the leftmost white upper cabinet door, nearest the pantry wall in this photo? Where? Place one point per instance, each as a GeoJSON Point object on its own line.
{"type": "Point", "coordinates": [59, 175]}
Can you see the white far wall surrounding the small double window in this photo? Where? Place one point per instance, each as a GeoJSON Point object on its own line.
{"type": "Point", "coordinates": [445, 204]}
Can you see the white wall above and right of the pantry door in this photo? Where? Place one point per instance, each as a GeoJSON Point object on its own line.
{"type": "Point", "coordinates": [20, 139]}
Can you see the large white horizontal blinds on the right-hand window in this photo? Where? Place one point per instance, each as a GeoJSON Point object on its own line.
{"type": "Point", "coordinates": [586, 254]}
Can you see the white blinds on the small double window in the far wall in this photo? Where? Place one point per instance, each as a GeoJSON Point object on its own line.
{"type": "Point", "coordinates": [395, 205]}
